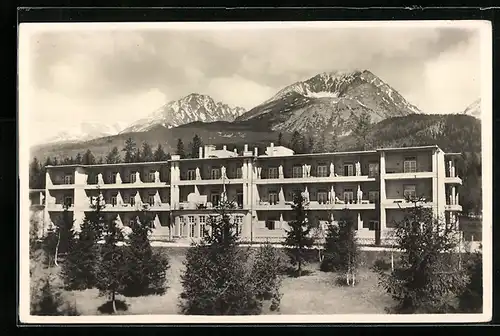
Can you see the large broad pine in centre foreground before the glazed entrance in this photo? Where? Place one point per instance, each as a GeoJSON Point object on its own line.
{"type": "Point", "coordinates": [217, 280]}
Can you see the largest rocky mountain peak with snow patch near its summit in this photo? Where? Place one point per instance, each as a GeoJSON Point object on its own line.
{"type": "Point", "coordinates": [331, 99]}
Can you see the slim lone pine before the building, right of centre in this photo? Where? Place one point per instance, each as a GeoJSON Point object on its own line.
{"type": "Point", "coordinates": [298, 237]}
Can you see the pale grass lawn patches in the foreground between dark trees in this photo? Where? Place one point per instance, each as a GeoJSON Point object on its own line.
{"type": "Point", "coordinates": [316, 293]}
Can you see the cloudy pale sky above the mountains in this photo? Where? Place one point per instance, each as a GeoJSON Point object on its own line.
{"type": "Point", "coordinates": [109, 75]}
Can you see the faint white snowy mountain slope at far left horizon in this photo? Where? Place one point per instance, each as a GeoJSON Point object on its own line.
{"type": "Point", "coordinates": [84, 132]}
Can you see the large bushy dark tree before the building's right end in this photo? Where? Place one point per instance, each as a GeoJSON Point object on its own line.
{"type": "Point", "coordinates": [428, 277]}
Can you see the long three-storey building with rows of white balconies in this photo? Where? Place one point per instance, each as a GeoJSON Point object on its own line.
{"type": "Point", "coordinates": [371, 185]}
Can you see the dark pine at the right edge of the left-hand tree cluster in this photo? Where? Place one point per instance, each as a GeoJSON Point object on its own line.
{"type": "Point", "coordinates": [147, 269]}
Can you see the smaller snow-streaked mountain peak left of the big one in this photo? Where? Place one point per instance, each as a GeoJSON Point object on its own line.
{"type": "Point", "coordinates": [194, 107]}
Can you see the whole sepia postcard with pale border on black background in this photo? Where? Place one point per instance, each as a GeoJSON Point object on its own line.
{"type": "Point", "coordinates": [246, 172]}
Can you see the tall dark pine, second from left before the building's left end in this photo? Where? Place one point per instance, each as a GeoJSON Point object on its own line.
{"type": "Point", "coordinates": [79, 269]}
